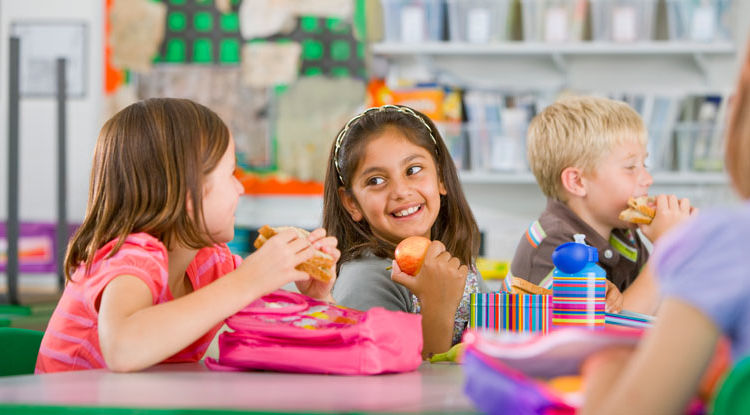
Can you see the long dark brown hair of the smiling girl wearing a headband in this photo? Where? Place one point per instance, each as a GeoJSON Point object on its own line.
{"type": "Point", "coordinates": [455, 225]}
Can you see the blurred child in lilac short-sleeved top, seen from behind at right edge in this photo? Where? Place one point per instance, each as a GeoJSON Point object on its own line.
{"type": "Point", "coordinates": [703, 275]}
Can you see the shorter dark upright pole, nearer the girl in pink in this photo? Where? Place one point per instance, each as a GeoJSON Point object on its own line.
{"type": "Point", "coordinates": [62, 215]}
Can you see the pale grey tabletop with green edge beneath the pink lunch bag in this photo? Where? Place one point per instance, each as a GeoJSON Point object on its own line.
{"type": "Point", "coordinates": [432, 388]}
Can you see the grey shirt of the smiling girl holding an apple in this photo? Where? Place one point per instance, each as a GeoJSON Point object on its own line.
{"type": "Point", "coordinates": [365, 282]}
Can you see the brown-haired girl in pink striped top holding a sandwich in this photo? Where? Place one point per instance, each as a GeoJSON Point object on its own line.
{"type": "Point", "coordinates": [149, 276]}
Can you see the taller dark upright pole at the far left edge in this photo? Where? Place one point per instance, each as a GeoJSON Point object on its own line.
{"type": "Point", "coordinates": [13, 156]}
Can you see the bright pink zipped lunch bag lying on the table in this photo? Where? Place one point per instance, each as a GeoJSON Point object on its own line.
{"type": "Point", "coordinates": [290, 332]}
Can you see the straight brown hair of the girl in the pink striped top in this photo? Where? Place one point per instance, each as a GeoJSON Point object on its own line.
{"type": "Point", "coordinates": [150, 160]}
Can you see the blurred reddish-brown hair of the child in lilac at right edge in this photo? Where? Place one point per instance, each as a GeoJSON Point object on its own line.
{"type": "Point", "coordinates": [738, 133]}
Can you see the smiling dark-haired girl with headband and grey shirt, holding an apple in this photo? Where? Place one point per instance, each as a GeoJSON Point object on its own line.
{"type": "Point", "coordinates": [389, 177]}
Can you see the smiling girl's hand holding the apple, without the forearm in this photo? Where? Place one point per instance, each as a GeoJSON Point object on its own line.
{"type": "Point", "coordinates": [441, 280]}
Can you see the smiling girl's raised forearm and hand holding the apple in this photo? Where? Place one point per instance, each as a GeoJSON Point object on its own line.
{"type": "Point", "coordinates": [439, 286]}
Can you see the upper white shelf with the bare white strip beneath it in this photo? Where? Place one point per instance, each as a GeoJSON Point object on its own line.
{"type": "Point", "coordinates": [659, 66]}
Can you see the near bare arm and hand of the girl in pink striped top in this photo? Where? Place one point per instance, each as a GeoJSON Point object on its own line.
{"type": "Point", "coordinates": [134, 334]}
